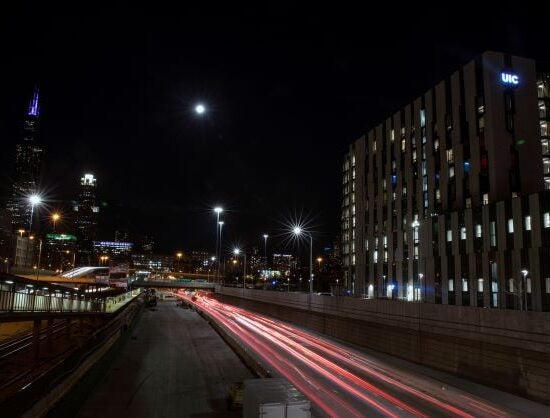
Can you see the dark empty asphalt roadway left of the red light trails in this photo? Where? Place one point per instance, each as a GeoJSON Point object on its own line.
{"type": "Point", "coordinates": [173, 365]}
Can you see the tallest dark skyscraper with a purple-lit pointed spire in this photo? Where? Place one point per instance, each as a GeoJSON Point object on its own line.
{"type": "Point", "coordinates": [28, 162]}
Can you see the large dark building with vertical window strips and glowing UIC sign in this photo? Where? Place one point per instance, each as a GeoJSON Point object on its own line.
{"type": "Point", "coordinates": [444, 201]}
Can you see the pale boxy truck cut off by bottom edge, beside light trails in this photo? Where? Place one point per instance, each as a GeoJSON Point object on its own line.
{"type": "Point", "coordinates": [274, 398]}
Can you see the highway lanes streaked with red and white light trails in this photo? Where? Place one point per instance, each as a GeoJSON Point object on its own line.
{"type": "Point", "coordinates": [341, 381]}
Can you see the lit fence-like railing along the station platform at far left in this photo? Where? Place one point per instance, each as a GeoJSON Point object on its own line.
{"type": "Point", "coordinates": [16, 297]}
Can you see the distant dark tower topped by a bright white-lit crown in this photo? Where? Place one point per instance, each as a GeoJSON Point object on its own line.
{"type": "Point", "coordinates": [86, 214]}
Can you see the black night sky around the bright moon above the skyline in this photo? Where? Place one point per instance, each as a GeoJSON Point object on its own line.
{"type": "Point", "coordinates": [287, 91]}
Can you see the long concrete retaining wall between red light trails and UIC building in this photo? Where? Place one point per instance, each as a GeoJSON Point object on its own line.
{"type": "Point", "coordinates": [506, 349]}
